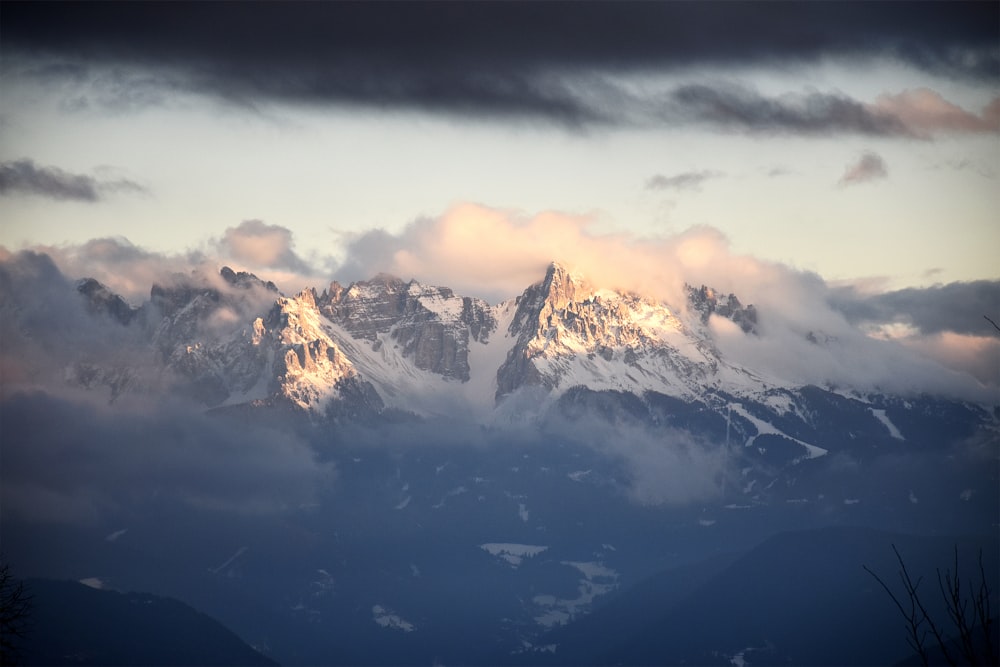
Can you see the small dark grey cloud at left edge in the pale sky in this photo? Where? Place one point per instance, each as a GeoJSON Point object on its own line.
{"type": "Point", "coordinates": [25, 178]}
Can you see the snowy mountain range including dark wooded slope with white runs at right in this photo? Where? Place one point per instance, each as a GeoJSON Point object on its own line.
{"type": "Point", "coordinates": [563, 349]}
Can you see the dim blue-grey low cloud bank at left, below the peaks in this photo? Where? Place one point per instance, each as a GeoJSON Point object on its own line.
{"type": "Point", "coordinates": [74, 460]}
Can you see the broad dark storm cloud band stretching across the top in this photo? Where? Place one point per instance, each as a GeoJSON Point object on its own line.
{"type": "Point", "coordinates": [533, 60]}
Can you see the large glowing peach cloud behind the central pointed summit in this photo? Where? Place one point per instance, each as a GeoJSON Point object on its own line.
{"type": "Point", "coordinates": [496, 253]}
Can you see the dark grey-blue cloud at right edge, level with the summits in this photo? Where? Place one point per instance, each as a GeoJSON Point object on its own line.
{"type": "Point", "coordinates": [957, 307]}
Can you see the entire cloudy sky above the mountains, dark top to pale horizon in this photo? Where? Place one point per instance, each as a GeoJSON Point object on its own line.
{"type": "Point", "coordinates": [858, 141]}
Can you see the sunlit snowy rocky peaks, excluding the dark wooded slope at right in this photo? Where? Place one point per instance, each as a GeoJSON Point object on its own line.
{"type": "Point", "coordinates": [386, 343]}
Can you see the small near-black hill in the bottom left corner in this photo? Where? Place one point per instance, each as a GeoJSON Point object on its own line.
{"type": "Point", "coordinates": [74, 624]}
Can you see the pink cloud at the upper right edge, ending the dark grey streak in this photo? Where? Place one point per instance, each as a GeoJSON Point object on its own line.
{"type": "Point", "coordinates": [926, 112]}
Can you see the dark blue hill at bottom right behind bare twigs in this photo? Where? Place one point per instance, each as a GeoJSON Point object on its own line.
{"type": "Point", "coordinates": [799, 598]}
